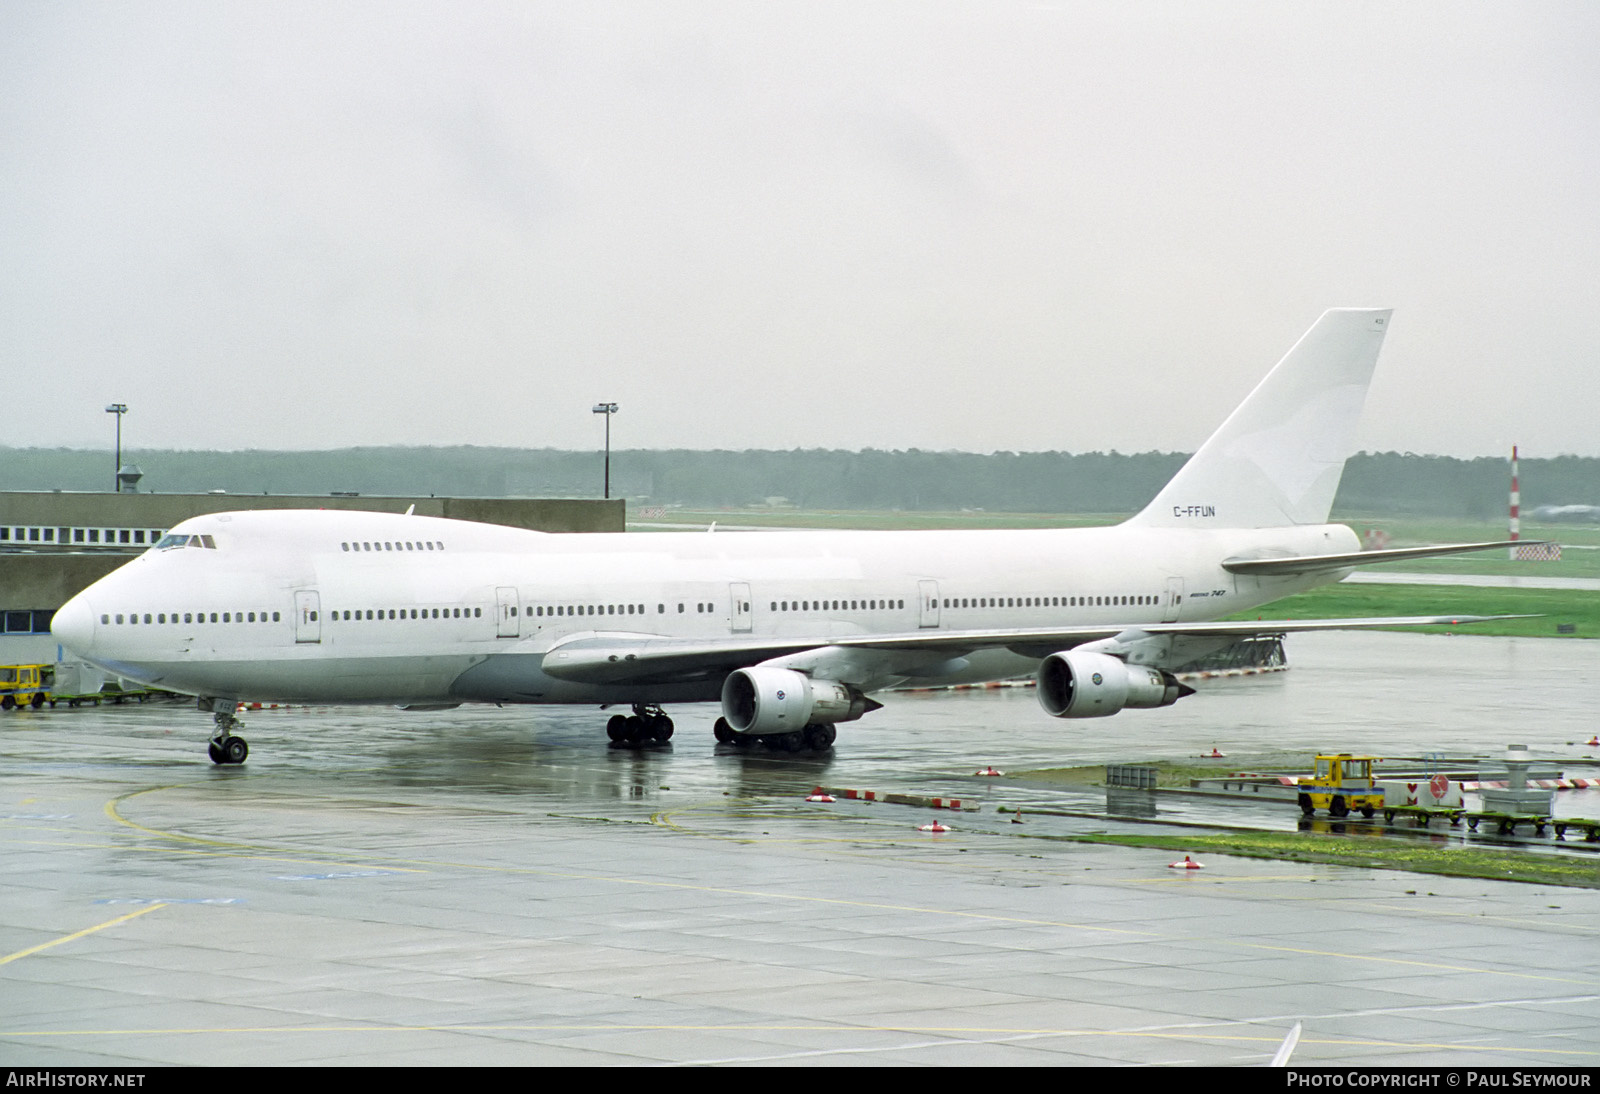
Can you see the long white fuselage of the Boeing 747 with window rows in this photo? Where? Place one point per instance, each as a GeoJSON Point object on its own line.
{"type": "Point", "coordinates": [340, 607]}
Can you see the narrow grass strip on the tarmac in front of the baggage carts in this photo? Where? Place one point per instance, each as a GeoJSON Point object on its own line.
{"type": "Point", "coordinates": [1374, 853]}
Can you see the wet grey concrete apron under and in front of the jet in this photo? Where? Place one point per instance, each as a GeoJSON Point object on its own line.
{"type": "Point", "coordinates": [500, 887]}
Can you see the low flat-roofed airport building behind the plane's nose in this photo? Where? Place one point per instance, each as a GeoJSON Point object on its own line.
{"type": "Point", "coordinates": [54, 545]}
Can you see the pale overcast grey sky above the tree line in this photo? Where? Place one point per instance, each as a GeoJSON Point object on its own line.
{"type": "Point", "coordinates": [945, 225]}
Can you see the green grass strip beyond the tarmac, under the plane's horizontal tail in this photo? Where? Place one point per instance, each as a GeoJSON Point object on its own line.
{"type": "Point", "coordinates": [1550, 607]}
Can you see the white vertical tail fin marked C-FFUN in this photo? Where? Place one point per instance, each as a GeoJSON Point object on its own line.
{"type": "Point", "coordinates": [1278, 460]}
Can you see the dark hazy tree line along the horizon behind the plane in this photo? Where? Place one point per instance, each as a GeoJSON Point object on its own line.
{"type": "Point", "coordinates": [1375, 484]}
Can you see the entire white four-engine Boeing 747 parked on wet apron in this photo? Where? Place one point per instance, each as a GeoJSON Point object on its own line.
{"type": "Point", "coordinates": [791, 633]}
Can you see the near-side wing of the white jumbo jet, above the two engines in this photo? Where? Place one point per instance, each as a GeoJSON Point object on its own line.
{"type": "Point", "coordinates": [649, 660]}
